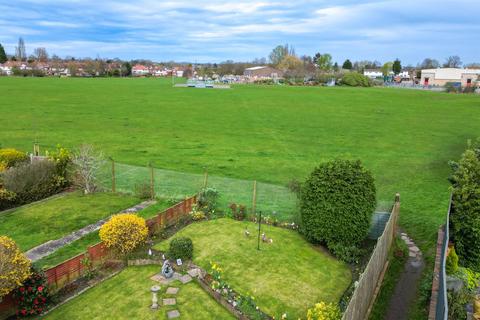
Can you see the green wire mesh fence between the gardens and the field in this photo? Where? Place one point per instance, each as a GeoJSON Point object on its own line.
{"type": "Point", "coordinates": [271, 199]}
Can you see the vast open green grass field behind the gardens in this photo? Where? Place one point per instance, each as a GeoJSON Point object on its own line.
{"type": "Point", "coordinates": [272, 134]}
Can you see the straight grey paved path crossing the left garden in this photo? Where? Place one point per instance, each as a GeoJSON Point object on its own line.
{"type": "Point", "coordinates": [51, 246]}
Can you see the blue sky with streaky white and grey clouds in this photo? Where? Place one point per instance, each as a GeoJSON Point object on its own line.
{"type": "Point", "coordinates": [216, 30]}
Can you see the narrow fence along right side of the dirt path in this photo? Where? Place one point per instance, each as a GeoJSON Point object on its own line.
{"type": "Point", "coordinates": [439, 300]}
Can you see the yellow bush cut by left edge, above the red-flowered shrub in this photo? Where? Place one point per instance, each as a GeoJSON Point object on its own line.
{"type": "Point", "coordinates": [14, 266]}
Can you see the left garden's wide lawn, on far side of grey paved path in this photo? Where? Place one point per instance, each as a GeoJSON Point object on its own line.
{"type": "Point", "coordinates": [34, 224]}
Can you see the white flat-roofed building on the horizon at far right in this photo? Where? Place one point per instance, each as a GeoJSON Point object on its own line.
{"type": "Point", "coordinates": [442, 76]}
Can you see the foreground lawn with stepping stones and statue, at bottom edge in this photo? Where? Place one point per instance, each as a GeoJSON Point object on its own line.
{"type": "Point", "coordinates": [128, 296]}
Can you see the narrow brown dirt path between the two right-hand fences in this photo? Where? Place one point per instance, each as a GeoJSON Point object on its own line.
{"type": "Point", "coordinates": [406, 288]}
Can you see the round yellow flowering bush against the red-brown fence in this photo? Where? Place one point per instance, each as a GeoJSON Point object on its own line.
{"type": "Point", "coordinates": [124, 232]}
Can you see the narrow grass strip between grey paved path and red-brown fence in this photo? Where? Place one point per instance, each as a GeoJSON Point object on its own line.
{"type": "Point", "coordinates": [79, 246]}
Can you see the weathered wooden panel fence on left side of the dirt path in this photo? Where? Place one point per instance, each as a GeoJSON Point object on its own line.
{"type": "Point", "coordinates": [364, 293]}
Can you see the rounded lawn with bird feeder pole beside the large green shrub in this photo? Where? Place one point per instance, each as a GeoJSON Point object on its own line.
{"type": "Point", "coordinates": [287, 276]}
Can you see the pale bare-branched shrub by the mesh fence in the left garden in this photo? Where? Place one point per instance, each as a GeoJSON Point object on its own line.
{"type": "Point", "coordinates": [87, 162]}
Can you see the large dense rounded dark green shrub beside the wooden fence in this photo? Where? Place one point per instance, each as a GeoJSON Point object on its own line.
{"type": "Point", "coordinates": [337, 202]}
